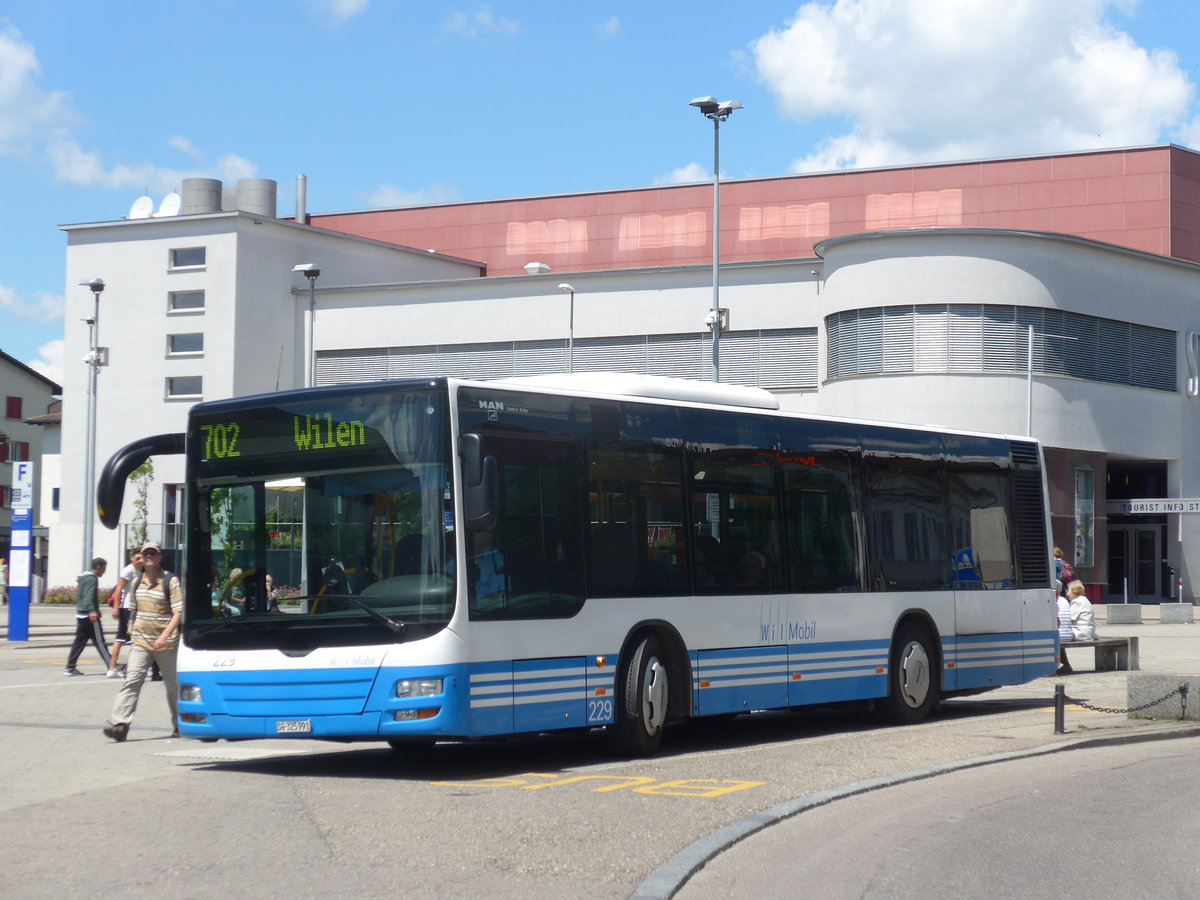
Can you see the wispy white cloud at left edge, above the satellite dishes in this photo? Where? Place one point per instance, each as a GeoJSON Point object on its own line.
{"type": "Point", "coordinates": [37, 124]}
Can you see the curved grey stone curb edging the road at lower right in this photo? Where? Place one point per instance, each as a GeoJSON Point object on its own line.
{"type": "Point", "coordinates": [665, 881]}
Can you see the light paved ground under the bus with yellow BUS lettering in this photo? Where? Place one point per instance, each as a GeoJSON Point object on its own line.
{"type": "Point", "coordinates": [537, 818]}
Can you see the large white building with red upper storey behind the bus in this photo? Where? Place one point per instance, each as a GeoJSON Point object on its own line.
{"type": "Point", "coordinates": [892, 296]}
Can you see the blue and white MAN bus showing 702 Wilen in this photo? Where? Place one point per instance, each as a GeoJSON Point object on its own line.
{"type": "Point", "coordinates": [477, 560]}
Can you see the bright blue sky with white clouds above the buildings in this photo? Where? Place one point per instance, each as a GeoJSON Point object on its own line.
{"type": "Point", "coordinates": [406, 103]}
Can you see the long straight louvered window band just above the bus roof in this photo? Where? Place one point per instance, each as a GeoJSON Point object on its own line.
{"type": "Point", "coordinates": [775, 359]}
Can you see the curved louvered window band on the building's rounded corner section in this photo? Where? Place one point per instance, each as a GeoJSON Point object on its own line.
{"type": "Point", "coordinates": [980, 338]}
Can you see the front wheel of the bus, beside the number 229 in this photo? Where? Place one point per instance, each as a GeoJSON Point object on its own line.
{"type": "Point", "coordinates": [644, 698]}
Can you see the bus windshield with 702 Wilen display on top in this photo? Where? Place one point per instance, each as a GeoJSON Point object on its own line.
{"type": "Point", "coordinates": [320, 523]}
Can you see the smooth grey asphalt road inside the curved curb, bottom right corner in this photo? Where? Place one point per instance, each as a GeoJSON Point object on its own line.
{"type": "Point", "coordinates": [1103, 823]}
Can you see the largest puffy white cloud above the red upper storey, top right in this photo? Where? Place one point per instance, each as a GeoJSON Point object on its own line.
{"type": "Point", "coordinates": [920, 81]}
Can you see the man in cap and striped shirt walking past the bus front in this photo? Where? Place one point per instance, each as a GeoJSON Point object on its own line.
{"type": "Point", "coordinates": [158, 609]}
